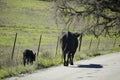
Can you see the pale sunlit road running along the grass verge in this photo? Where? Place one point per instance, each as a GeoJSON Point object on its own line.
{"type": "Point", "coordinates": [105, 67]}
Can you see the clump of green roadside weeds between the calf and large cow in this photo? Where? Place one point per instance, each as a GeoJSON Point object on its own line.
{"type": "Point", "coordinates": [47, 59]}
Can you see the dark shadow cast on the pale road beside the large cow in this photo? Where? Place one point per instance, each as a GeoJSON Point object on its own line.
{"type": "Point", "coordinates": [88, 66]}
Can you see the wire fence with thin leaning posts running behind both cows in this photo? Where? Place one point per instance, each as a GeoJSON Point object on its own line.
{"type": "Point", "coordinates": [13, 46]}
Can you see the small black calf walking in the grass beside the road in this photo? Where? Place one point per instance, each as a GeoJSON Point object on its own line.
{"type": "Point", "coordinates": [28, 57]}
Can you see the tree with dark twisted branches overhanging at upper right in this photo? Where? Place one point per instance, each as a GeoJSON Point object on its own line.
{"type": "Point", "coordinates": [103, 15]}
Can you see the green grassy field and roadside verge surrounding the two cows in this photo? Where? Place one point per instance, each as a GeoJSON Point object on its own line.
{"type": "Point", "coordinates": [30, 19]}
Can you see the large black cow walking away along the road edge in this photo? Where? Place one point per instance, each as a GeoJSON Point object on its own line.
{"type": "Point", "coordinates": [69, 44]}
